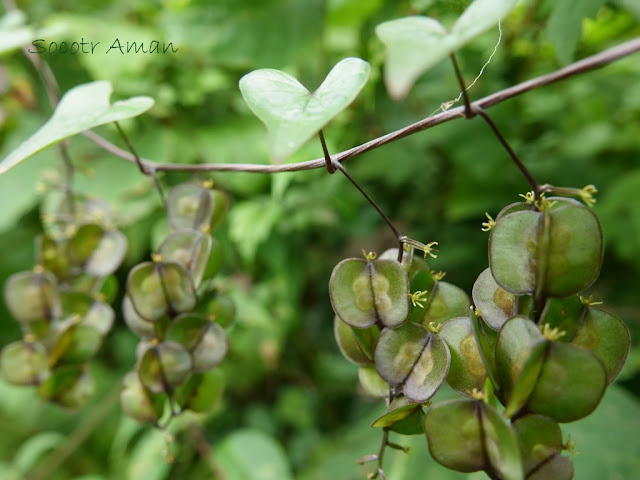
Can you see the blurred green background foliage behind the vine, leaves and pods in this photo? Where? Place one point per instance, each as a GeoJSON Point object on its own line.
{"type": "Point", "coordinates": [291, 408]}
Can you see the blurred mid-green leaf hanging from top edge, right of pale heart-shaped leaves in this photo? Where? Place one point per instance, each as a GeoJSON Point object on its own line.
{"type": "Point", "coordinates": [565, 25]}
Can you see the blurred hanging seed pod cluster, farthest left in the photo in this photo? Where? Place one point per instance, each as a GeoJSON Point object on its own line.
{"type": "Point", "coordinates": [62, 304]}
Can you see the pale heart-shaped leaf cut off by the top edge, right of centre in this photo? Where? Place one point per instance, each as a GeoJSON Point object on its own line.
{"type": "Point", "coordinates": [415, 44]}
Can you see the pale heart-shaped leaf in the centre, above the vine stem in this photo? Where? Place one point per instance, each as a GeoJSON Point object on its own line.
{"type": "Point", "coordinates": [290, 112]}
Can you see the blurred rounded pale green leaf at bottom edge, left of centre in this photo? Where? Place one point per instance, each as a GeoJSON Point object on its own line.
{"type": "Point", "coordinates": [252, 455]}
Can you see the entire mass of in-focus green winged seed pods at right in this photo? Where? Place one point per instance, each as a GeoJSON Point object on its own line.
{"type": "Point", "coordinates": [531, 343]}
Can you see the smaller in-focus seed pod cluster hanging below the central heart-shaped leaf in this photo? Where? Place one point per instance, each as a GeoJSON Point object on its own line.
{"type": "Point", "coordinates": [404, 354]}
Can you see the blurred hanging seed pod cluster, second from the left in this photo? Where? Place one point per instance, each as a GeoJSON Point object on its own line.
{"type": "Point", "coordinates": [171, 304]}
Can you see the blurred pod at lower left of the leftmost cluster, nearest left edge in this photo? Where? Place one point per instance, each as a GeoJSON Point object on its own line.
{"type": "Point", "coordinates": [24, 363]}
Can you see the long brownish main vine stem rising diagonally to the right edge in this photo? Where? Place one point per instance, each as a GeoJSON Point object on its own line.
{"type": "Point", "coordinates": [587, 64]}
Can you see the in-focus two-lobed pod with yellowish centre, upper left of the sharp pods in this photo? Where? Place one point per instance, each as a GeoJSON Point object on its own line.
{"type": "Point", "coordinates": [365, 292]}
